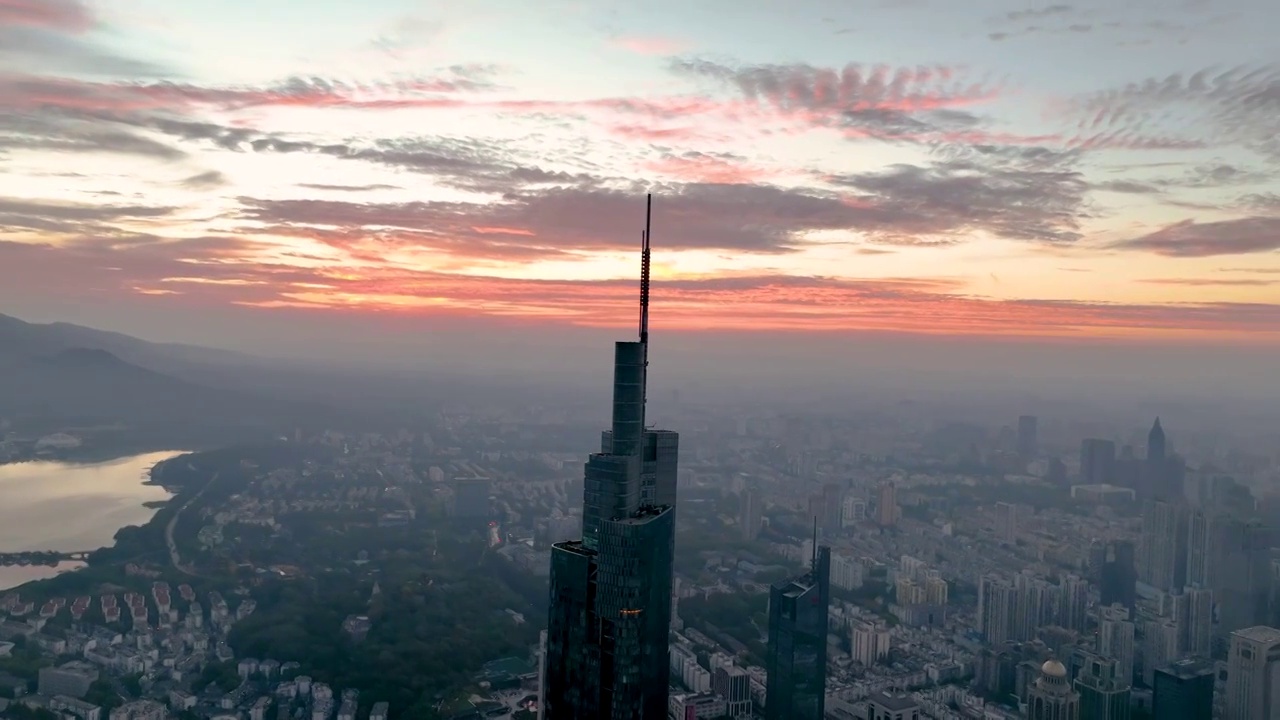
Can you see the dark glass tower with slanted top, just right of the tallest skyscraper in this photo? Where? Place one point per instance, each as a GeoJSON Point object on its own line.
{"type": "Point", "coordinates": [797, 657]}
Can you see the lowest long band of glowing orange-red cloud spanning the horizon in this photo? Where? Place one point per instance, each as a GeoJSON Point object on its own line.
{"type": "Point", "coordinates": [231, 271]}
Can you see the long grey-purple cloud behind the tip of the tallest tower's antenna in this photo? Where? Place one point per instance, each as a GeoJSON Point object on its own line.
{"type": "Point", "coordinates": [747, 218]}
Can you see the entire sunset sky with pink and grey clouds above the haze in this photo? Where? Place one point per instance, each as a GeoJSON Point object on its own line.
{"type": "Point", "coordinates": [1013, 168]}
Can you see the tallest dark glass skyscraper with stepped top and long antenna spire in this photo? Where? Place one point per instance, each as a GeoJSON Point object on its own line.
{"type": "Point", "coordinates": [607, 654]}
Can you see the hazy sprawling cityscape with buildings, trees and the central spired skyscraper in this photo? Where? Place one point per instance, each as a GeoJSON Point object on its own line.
{"type": "Point", "coordinates": [784, 568]}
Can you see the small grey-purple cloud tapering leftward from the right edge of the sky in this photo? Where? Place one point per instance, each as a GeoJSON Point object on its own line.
{"type": "Point", "coordinates": [1188, 239]}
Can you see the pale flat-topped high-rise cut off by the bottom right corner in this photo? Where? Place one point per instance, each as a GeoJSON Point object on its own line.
{"type": "Point", "coordinates": [1254, 675]}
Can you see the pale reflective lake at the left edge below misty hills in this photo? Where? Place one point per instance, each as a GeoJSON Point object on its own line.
{"type": "Point", "coordinates": [68, 507]}
